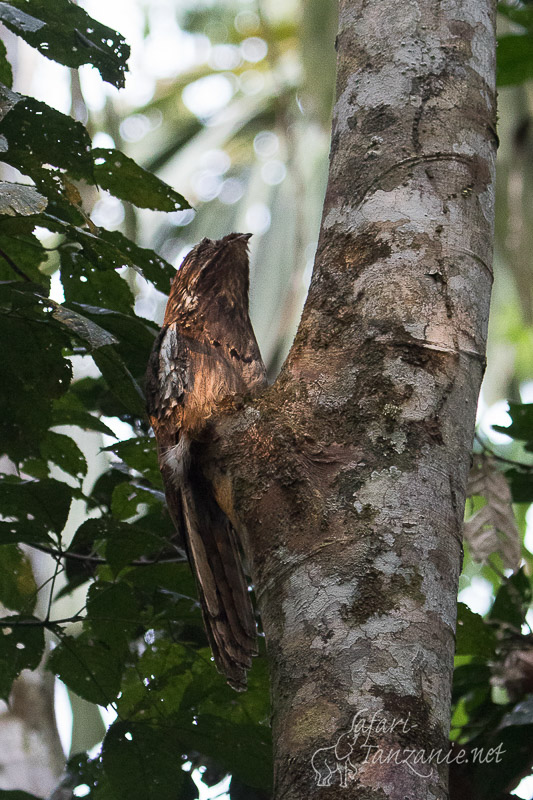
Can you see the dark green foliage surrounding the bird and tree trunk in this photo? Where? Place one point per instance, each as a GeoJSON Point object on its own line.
{"type": "Point", "coordinates": [142, 649]}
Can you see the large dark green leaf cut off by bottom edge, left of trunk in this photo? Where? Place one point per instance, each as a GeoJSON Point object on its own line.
{"type": "Point", "coordinates": [142, 761]}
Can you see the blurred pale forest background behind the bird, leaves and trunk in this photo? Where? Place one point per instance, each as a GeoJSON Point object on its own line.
{"type": "Point", "coordinates": [229, 102]}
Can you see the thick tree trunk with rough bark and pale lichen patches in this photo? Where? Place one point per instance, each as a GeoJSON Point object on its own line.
{"type": "Point", "coordinates": [349, 473]}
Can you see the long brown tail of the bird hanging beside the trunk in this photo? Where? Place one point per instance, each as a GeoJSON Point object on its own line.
{"type": "Point", "coordinates": [216, 561]}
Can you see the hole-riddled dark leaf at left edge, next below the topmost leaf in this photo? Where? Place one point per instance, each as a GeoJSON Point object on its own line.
{"type": "Point", "coordinates": [37, 134]}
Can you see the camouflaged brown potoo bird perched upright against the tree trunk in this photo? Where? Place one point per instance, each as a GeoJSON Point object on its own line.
{"type": "Point", "coordinates": [205, 354]}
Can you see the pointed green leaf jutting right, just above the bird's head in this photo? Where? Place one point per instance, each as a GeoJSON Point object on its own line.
{"type": "Point", "coordinates": [125, 179]}
